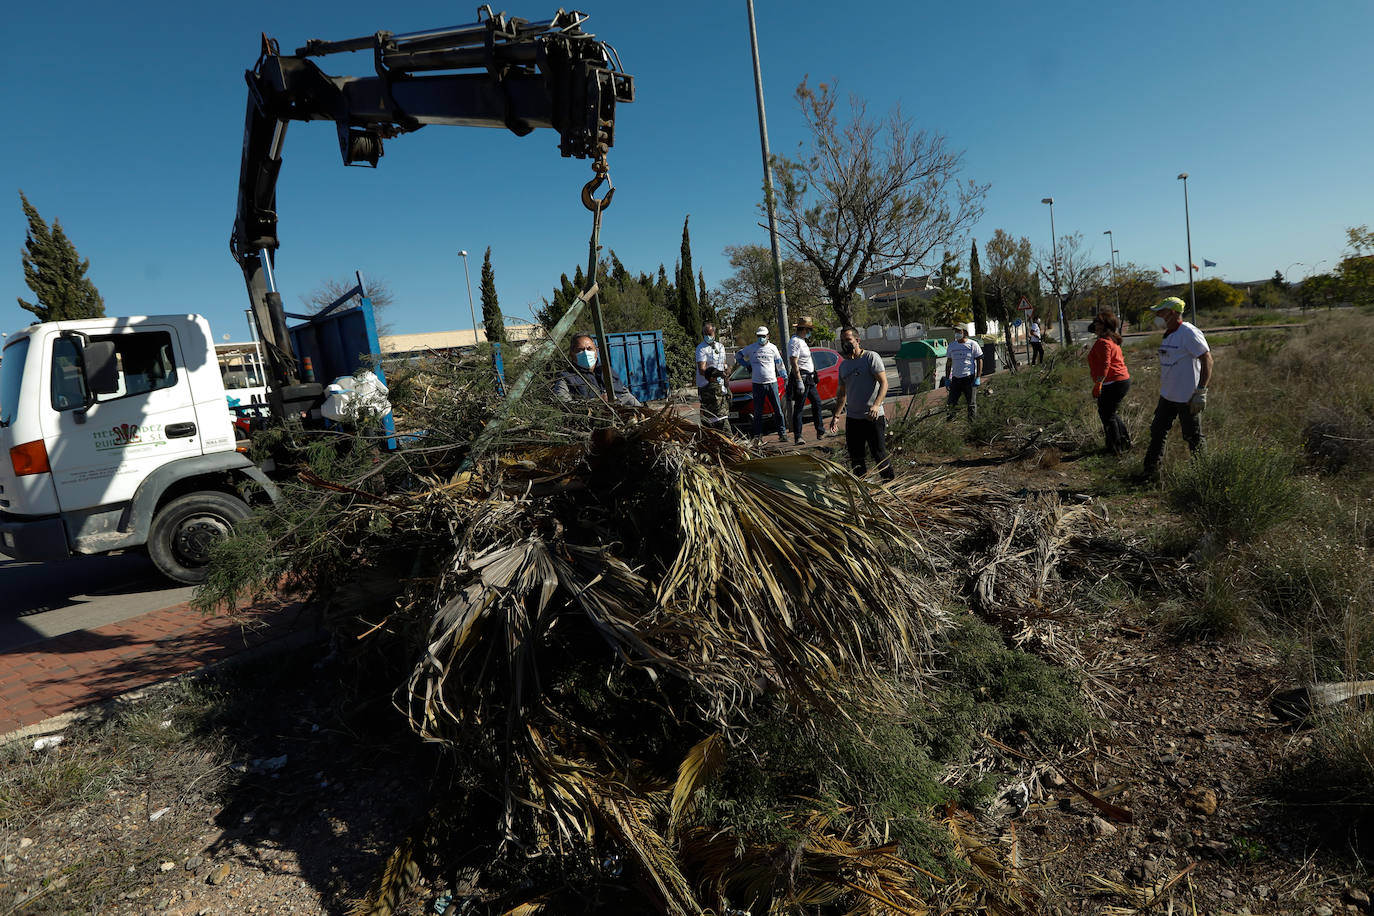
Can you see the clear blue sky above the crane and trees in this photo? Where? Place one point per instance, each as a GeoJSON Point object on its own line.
{"type": "Point", "coordinates": [127, 126]}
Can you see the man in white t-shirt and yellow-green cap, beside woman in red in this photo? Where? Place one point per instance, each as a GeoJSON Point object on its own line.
{"type": "Point", "coordinates": [1185, 371]}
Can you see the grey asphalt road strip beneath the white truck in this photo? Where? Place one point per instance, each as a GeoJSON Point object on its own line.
{"type": "Point", "coordinates": [39, 601]}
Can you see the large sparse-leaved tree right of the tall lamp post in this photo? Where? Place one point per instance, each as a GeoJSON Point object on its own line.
{"type": "Point", "coordinates": [869, 194]}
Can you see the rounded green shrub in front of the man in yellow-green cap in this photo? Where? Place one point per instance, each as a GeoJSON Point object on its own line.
{"type": "Point", "coordinates": [1237, 491]}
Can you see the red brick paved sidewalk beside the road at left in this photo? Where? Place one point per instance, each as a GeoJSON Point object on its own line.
{"type": "Point", "coordinates": [64, 674]}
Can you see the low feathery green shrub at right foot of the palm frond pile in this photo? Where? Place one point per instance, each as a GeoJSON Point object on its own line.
{"type": "Point", "coordinates": [901, 764]}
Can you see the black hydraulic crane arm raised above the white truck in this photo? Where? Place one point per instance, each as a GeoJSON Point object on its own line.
{"type": "Point", "coordinates": [495, 73]}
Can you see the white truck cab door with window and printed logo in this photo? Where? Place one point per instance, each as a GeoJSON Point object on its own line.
{"type": "Point", "coordinates": [102, 453]}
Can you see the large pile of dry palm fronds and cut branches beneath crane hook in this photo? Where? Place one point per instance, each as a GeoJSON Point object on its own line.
{"type": "Point", "coordinates": [598, 610]}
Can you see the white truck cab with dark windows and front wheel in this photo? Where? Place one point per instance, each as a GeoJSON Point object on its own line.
{"type": "Point", "coordinates": [116, 433]}
